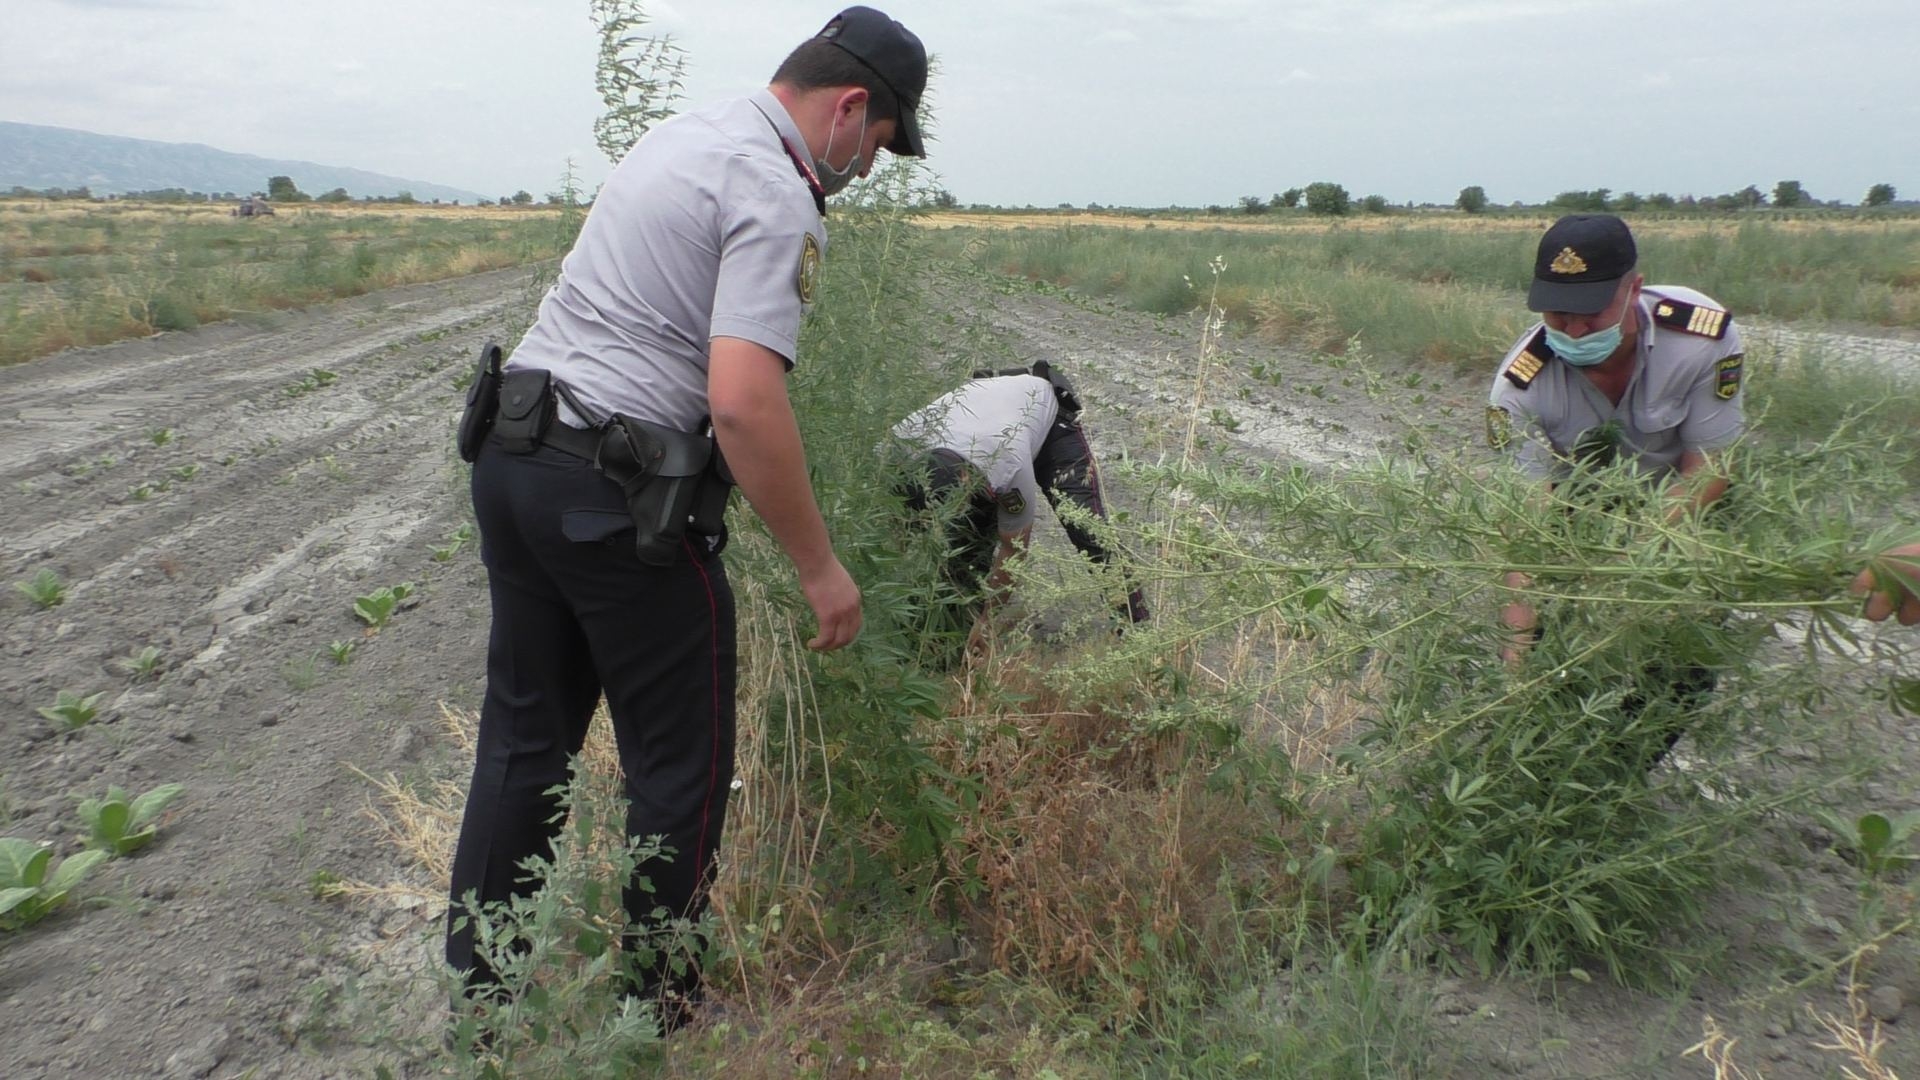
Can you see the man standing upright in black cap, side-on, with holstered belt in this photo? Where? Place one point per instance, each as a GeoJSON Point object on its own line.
{"type": "Point", "coordinates": [679, 308]}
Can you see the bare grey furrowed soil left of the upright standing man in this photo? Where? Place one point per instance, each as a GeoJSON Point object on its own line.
{"type": "Point", "coordinates": [208, 952]}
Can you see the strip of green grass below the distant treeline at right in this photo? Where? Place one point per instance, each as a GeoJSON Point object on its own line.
{"type": "Point", "coordinates": [1452, 291]}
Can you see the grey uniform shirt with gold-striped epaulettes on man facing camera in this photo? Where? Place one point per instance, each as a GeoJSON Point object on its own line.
{"type": "Point", "coordinates": [1685, 393]}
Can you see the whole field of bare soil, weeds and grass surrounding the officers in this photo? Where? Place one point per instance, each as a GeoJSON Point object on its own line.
{"type": "Point", "coordinates": [1297, 827]}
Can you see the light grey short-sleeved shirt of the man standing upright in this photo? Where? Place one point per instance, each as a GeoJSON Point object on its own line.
{"type": "Point", "coordinates": [706, 230]}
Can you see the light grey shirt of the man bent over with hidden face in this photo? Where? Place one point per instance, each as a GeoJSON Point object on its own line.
{"type": "Point", "coordinates": [999, 428]}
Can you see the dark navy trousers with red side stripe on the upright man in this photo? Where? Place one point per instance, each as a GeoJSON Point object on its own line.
{"type": "Point", "coordinates": [579, 616]}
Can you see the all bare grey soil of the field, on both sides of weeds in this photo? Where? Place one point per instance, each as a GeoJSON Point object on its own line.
{"type": "Point", "coordinates": [208, 497]}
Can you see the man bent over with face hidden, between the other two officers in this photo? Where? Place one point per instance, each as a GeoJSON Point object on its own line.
{"type": "Point", "coordinates": [1019, 437]}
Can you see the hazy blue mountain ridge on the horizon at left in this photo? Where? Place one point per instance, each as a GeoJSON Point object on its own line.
{"type": "Point", "coordinates": [39, 159]}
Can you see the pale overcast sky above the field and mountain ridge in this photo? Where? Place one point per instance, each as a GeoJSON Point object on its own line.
{"type": "Point", "coordinates": [1126, 103]}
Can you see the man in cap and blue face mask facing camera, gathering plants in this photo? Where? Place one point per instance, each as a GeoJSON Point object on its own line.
{"type": "Point", "coordinates": [1646, 374]}
